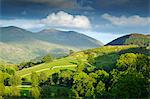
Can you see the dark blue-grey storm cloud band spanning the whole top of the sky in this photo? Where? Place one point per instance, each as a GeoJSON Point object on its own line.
{"type": "Point", "coordinates": [41, 8]}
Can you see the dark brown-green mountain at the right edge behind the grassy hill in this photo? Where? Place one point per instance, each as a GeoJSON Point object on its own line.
{"type": "Point", "coordinates": [132, 39]}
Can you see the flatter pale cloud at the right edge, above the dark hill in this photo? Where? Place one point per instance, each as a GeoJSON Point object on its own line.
{"type": "Point", "coordinates": [134, 20]}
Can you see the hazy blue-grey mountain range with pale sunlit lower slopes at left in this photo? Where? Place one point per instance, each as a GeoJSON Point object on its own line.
{"type": "Point", "coordinates": [19, 45]}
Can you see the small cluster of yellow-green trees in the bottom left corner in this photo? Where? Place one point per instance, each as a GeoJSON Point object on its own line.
{"type": "Point", "coordinates": [8, 84]}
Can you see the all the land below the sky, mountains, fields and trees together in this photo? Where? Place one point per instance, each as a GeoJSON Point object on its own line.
{"type": "Point", "coordinates": [38, 66]}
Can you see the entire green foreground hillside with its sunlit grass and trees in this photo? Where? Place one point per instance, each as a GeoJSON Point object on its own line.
{"type": "Point", "coordinates": [99, 72]}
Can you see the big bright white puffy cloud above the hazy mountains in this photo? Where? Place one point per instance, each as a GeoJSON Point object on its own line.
{"type": "Point", "coordinates": [64, 19]}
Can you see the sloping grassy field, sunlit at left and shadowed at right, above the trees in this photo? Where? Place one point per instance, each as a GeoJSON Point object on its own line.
{"type": "Point", "coordinates": [104, 56]}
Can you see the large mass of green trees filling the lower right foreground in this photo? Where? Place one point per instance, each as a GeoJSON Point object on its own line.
{"type": "Point", "coordinates": [129, 79]}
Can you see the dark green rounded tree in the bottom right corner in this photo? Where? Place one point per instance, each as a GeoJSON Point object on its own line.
{"type": "Point", "coordinates": [130, 84]}
